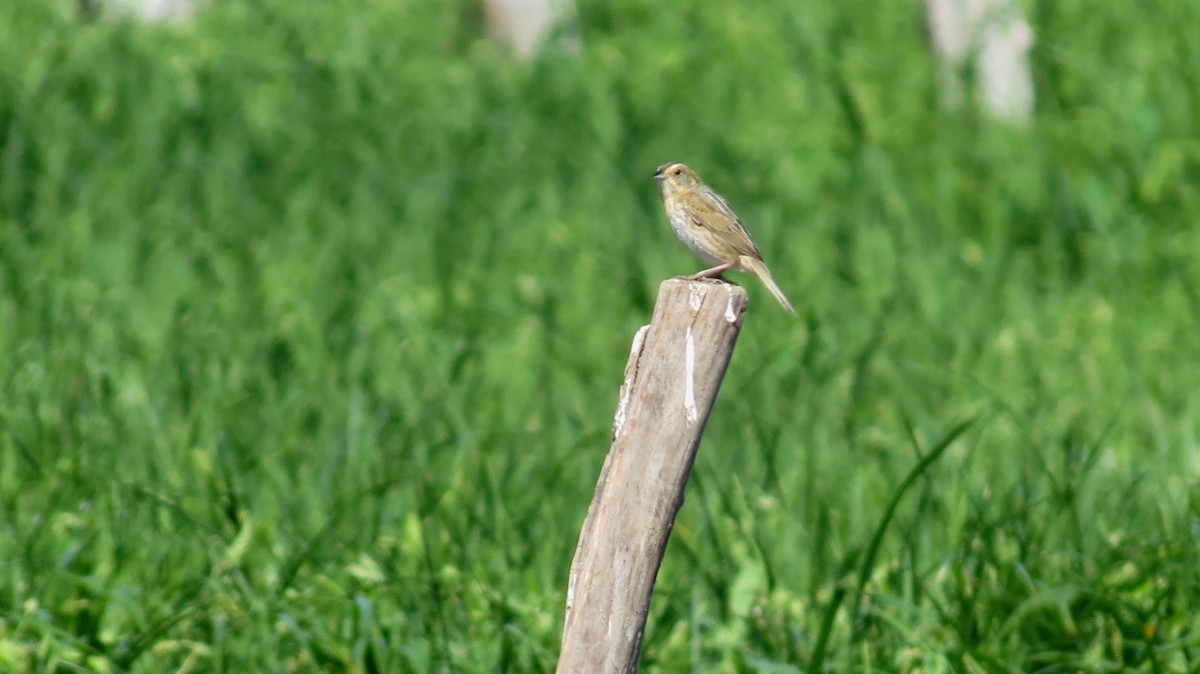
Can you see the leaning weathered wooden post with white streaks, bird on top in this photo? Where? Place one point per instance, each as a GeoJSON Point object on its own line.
{"type": "Point", "coordinates": [675, 370]}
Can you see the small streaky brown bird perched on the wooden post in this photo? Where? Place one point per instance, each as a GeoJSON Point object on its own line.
{"type": "Point", "coordinates": [704, 221]}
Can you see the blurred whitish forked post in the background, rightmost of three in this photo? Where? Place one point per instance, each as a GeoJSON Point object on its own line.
{"type": "Point", "coordinates": [994, 37]}
